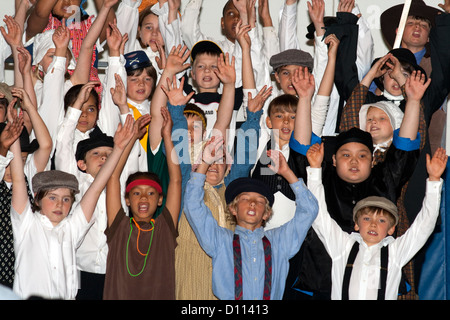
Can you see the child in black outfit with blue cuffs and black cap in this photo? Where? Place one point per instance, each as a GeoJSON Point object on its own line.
{"type": "Point", "coordinates": [349, 176]}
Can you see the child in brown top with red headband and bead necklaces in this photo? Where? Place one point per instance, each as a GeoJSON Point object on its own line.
{"type": "Point", "coordinates": [141, 247]}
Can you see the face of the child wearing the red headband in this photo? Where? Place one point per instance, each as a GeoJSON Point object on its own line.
{"type": "Point", "coordinates": [143, 201]}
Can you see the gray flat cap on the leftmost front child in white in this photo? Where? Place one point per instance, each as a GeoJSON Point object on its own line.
{"type": "Point", "coordinates": [53, 179]}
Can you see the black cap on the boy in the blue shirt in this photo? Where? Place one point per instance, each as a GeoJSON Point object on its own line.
{"type": "Point", "coordinates": [245, 184]}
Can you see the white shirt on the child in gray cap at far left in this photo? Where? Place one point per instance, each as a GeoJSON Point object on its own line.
{"type": "Point", "coordinates": [45, 254]}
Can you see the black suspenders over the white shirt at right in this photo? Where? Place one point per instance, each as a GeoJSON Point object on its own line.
{"type": "Point", "coordinates": [349, 268]}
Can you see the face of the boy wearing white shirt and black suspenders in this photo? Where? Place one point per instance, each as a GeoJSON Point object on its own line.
{"type": "Point", "coordinates": [373, 227]}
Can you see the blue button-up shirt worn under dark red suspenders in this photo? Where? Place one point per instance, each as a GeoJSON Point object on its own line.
{"type": "Point", "coordinates": [218, 243]}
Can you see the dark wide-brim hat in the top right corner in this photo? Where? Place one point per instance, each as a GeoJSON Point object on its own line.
{"type": "Point", "coordinates": [390, 18]}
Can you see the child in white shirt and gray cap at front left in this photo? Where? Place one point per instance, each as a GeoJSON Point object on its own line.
{"type": "Point", "coordinates": [51, 223]}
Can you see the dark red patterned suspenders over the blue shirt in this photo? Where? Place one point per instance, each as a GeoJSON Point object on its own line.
{"type": "Point", "coordinates": [238, 268]}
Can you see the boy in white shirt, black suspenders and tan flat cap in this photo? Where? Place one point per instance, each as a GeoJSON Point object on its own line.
{"type": "Point", "coordinates": [367, 264]}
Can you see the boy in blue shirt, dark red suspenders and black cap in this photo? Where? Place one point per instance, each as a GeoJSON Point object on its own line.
{"type": "Point", "coordinates": [249, 263]}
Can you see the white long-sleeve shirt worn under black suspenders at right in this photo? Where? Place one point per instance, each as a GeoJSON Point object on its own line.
{"type": "Point", "coordinates": [365, 277]}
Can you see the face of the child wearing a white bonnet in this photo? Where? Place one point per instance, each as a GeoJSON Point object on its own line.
{"type": "Point", "coordinates": [378, 125]}
